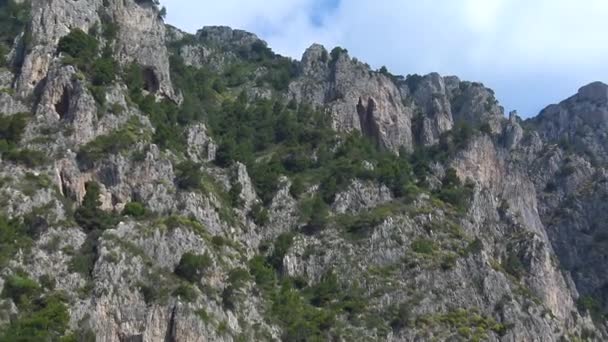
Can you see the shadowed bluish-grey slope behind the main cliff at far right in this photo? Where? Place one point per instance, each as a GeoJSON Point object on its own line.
{"type": "Point", "coordinates": [573, 188]}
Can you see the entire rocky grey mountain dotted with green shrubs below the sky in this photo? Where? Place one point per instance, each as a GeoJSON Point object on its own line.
{"type": "Point", "coordinates": [165, 186]}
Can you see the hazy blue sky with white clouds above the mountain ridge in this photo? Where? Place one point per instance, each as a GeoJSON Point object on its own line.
{"type": "Point", "coordinates": [531, 52]}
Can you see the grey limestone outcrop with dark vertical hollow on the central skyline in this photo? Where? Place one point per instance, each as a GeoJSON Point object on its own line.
{"type": "Point", "coordinates": [357, 98]}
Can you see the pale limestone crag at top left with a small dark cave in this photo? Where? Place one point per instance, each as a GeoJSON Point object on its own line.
{"type": "Point", "coordinates": [141, 39]}
